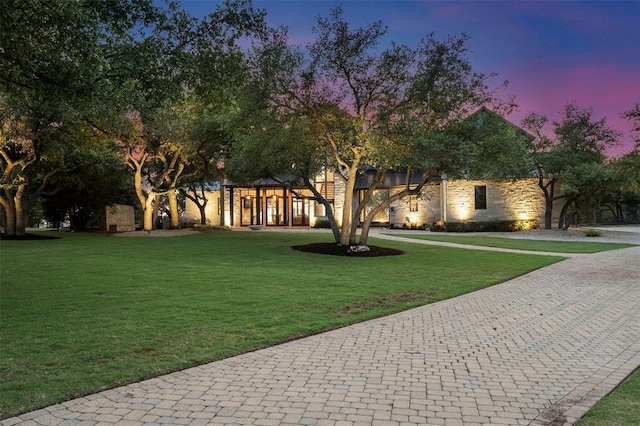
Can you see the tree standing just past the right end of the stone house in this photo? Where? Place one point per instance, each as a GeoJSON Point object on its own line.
{"type": "Point", "coordinates": [579, 145]}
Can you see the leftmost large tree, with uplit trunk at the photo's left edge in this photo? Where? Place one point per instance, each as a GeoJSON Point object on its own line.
{"type": "Point", "coordinates": [63, 66]}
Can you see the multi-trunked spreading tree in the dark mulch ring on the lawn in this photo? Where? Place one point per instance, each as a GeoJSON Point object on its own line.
{"type": "Point", "coordinates": [350, 104]}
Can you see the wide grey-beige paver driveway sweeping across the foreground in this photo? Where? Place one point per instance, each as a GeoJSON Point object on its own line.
{"type": "Point", "coordinates": [537, 350]}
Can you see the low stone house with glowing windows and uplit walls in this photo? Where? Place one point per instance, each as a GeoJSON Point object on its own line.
{"type": "Point", "coordinates": [272, 203]}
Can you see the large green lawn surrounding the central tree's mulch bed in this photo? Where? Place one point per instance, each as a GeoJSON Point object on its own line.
{"type": "Point", "coordinates": [89, 312]}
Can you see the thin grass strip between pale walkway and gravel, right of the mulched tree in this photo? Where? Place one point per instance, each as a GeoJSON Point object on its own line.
{"type": "Point", "coordinates": [523, 244]}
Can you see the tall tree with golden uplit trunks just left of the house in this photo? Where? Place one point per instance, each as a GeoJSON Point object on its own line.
{"type": "Point", "coordinates": [203, 65]}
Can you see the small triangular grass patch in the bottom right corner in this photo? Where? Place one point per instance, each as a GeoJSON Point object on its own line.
{"type": "Point", "coordinates": [621, 407]}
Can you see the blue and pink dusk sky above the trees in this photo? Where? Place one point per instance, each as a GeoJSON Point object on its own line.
{"type": "Point", "coordinates": [551, 52]}
